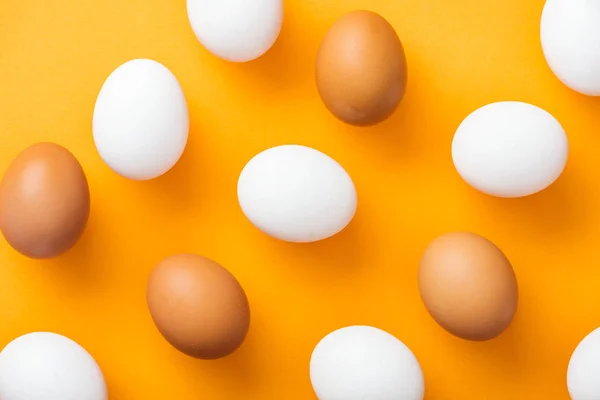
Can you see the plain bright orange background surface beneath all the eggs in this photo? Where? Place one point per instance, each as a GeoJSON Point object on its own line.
{"type": "Point", "coordinates": [462, 54]}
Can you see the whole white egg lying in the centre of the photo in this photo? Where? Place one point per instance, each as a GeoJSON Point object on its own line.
{"type": "Point", "coordinates": [296, 194]}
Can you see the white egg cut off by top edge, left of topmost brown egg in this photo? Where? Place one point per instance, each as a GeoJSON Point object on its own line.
{"type": "Point", "coordinates": [236, 30]}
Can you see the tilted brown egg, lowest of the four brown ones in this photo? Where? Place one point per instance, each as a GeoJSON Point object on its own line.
{"type": "Point", "coordinates": [198, 306]}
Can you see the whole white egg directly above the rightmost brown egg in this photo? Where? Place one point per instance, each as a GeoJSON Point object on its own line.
{"type": "Point", "coordinates": [510, 149]}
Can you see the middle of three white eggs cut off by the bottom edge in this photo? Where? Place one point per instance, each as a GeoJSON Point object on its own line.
{"type": "Point", "coordinates": [362, 362]}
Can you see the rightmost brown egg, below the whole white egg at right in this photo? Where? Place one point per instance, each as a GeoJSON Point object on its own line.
{"type": "Point", "coordinates": [468, 286]}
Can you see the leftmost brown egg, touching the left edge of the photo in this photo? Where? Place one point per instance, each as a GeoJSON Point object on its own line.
{"type": "Point", "coordinates": [44, 201]}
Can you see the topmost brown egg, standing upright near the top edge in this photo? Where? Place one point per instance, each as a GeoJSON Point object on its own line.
{"type": "Point", "coordinates": [361, 69]}
